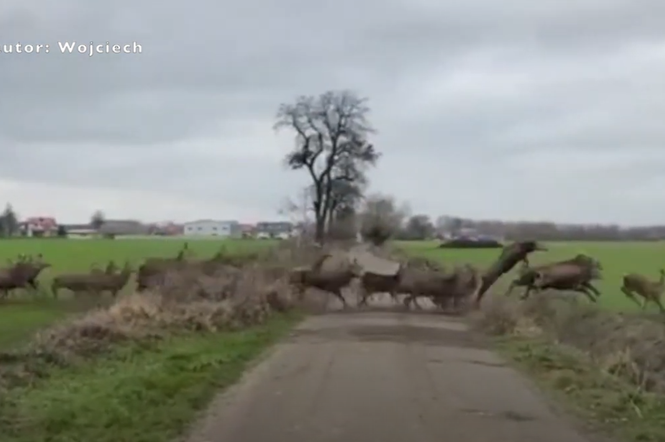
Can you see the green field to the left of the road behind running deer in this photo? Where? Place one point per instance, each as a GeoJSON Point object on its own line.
{"type": "Point", "coordinates": [21, 316]}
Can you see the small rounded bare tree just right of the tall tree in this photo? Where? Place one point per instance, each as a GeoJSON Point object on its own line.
{"type": "Point", "coordinates": [381, 218]}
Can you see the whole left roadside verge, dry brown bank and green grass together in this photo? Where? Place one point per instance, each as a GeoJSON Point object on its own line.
{"type": "Point", "coordinates": [141, 367]}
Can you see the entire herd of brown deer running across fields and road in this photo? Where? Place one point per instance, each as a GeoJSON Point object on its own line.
{"type": "Point", "coordinates": [414, 279]}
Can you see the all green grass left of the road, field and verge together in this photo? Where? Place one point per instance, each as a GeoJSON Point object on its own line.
{"type": "Point", "coordinates": [104, 398]}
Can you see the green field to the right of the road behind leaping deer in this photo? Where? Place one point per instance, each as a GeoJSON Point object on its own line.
{"type": "Point", "coordinates": [617, 258]}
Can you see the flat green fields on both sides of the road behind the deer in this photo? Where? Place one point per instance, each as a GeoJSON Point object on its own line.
{"type": "Point", "coordinates": [18, 320]}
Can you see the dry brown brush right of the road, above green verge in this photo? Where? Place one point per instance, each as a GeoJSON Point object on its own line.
{"type": "Point", "coordinates": [631, 346]}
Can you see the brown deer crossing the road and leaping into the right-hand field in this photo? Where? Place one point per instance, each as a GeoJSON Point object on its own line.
{"type": "Point", "coordinates": [465, 282]}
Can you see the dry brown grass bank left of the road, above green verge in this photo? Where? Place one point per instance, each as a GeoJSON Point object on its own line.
{"type": "Point", "coordinates": [188, 301]}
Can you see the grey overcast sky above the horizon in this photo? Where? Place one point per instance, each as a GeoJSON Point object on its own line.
{"type": "Point", "coordinates": [514, 109]}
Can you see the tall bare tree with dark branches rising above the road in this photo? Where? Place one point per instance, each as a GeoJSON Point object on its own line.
{"type": "Point", "coordinates": [332, 145]}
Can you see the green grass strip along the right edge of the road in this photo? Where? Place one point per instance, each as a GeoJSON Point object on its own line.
{"type": "Point", "coordinates": [599, 398]}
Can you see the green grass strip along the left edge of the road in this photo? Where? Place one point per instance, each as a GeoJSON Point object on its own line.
{"type": "Point", "coordinates": [138, 393]}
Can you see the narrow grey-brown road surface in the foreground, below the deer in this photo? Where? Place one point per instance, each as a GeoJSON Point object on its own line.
{"type": "Point", "coordinates": [382, 377]}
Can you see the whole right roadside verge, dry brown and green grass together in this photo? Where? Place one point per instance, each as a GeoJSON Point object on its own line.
{"type": "Point", "coordinates": [608, 362]}
